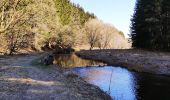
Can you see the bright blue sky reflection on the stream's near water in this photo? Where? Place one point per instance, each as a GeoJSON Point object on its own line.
{"type": "Point", "coordinates": [123, 84]}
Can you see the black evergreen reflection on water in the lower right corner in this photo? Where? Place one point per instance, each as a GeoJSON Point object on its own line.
{"type": "Point", "coordinates": [153, 87]}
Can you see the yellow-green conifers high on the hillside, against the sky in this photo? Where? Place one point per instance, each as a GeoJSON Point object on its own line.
{"type": "Point", "coordinates": [68, 12]}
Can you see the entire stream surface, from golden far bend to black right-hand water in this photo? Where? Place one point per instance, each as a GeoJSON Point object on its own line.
{"type": "Point", "coordinates": [120, 83]}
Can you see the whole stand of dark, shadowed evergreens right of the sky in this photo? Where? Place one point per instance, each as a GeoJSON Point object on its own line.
{"type": "Point", "coordinates": [151, 25]}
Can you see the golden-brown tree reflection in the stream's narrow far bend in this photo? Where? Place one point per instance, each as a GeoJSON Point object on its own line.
{"type": "Point", "coordinates": [71, 60]}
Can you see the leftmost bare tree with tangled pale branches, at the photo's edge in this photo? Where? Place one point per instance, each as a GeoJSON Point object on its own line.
{"type": "Point", "coordinates": [13, 20]}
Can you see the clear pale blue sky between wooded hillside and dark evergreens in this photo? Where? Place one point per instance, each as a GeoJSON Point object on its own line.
{"type": "Point", "coordinates": [115, 12]}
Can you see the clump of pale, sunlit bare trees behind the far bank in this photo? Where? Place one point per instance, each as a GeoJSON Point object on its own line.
{"type": "Point", "coordinates": [103, 36]}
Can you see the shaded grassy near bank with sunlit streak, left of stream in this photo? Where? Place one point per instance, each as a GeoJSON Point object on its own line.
{"type": "Point", "coordinates": [19, 80]}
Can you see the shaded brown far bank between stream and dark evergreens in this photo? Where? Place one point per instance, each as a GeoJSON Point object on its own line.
{"type": "Point", "coordinates": [137, 60]}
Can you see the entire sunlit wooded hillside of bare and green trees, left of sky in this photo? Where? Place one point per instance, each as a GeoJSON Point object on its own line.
{"type": "Point", "coordinates": [47, 24]}
